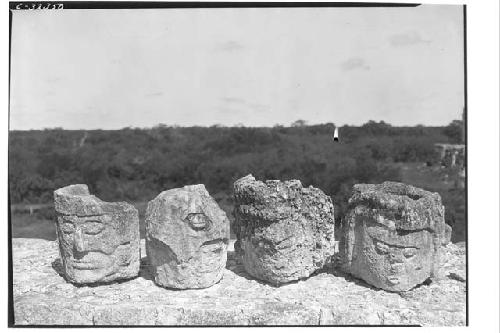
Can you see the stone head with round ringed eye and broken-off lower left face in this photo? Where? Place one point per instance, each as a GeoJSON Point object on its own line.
{"type": "Point", "coordinates": [186, 238]}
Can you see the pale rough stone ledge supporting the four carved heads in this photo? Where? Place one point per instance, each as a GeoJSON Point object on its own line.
{"type": "Point", "coordinates": [43, 297]}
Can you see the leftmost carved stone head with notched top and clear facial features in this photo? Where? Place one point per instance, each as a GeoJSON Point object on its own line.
{"type": "Point", "coordinates": [98, 241]}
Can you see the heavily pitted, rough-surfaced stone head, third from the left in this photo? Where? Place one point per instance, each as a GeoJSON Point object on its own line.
{"type": "Point", "coordinates": [284, 232]}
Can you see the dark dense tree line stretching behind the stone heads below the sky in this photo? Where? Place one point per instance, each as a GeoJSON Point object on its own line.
{"type": "Point", "coordinates": [136, 164]}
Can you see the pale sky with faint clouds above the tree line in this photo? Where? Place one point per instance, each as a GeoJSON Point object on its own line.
{"type": "Point", "coordinates": [109, 69]}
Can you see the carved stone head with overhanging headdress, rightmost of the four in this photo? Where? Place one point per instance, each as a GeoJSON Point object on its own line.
{"type": "Point", "coordinates": [392, 234]}
